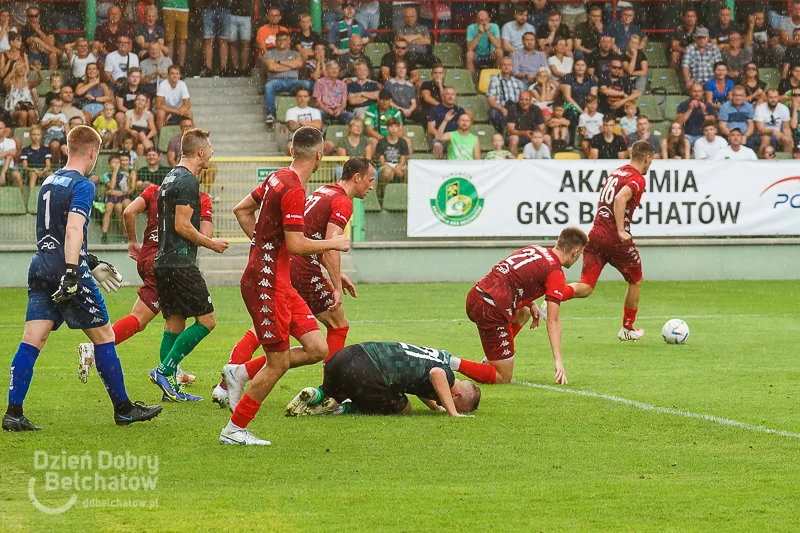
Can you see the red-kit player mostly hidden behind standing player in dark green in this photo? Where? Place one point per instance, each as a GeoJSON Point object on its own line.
{"type": "Point", "coordinates": [146, 306]}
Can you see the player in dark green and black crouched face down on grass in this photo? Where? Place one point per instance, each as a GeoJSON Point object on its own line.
{"type": "Point", "coordinates": [377, 376]}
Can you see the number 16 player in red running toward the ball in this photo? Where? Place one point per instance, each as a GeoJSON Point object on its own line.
{"type": "Point", "coordinates": [610, 239]}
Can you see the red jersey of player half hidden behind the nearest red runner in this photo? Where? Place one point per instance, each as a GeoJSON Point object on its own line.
{"type": "Point", "coordinates": [327, 205]}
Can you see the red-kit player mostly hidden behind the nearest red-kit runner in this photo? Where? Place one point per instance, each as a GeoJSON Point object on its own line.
{"type": "Point", "coordinates": [327, 212]}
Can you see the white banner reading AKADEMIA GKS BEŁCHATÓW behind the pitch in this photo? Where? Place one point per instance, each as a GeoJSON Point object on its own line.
{"type": "Point", "coordinates": [526, 198]}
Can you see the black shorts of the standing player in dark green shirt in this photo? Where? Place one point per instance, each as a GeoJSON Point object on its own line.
{"type": "Point", "coordinates": [183, 292]}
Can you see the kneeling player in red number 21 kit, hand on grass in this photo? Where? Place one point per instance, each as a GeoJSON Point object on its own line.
{"type": "Point", "coordinates": [503, 301]}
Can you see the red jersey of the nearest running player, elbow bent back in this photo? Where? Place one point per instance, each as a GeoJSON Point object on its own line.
{"type": "Point", "coordinates": [281, 198]}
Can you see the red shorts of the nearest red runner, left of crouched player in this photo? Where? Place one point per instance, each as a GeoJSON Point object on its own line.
{"type": "Point", "coordinates": [276, 315]}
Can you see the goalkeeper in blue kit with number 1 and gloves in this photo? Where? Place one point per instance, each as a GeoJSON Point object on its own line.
{"type": "Point", "coordinates": [61, 288]}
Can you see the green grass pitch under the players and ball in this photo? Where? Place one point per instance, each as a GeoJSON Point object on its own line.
{"type": "Point", "coordinates": [530, 460]}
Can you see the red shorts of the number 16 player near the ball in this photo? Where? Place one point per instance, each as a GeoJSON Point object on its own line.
{"type": "Point", "coordinates": [622, 256]}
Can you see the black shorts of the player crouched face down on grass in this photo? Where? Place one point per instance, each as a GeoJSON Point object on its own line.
{"type": "Point", "coordinates": [351, 374]}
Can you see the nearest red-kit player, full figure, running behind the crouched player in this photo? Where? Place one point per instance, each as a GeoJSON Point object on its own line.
{"type": "Point", "coordinates": [274, 305]}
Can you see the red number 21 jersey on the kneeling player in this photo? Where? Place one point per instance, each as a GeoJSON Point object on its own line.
{"type": "Point", "coordinates": [522, 277]}
